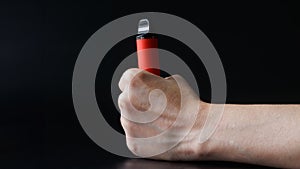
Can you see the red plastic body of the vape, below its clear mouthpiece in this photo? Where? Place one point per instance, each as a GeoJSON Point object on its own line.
{"type": "Point", "coordinates": [147, 52]}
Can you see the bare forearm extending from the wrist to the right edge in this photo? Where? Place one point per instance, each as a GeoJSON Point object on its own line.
{"type": "Point", "coordinates": [258, 134]}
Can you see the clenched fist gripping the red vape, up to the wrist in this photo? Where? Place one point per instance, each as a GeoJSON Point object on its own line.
{"type": "Point", "coordinates": [165, 111]}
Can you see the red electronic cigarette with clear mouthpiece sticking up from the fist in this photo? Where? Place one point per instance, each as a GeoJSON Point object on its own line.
{"type": "Point", "coordinates": [147, 48]}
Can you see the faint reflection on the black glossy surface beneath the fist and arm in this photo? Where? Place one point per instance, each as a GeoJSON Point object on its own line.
{"type": "Point", "coordinates": [152, 164]}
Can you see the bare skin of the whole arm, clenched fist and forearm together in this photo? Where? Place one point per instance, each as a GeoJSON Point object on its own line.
{"type": "Point", "coordinates": [257, 134]}
